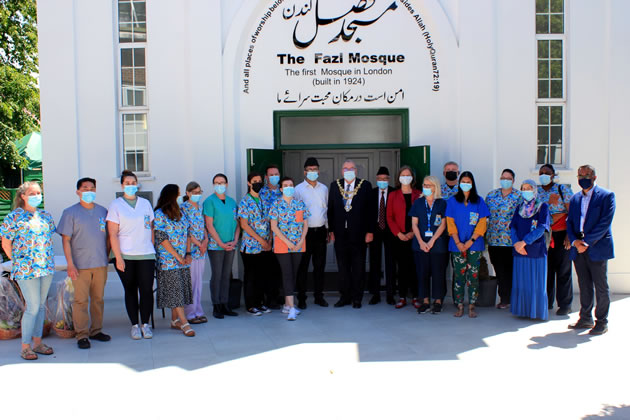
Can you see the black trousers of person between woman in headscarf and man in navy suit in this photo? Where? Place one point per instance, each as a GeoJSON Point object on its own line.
{"type": "Point", "coordinates": [559, 281]}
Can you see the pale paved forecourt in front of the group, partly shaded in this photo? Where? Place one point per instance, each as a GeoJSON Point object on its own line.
{"type": "Point", "coordinates": [376, 362]}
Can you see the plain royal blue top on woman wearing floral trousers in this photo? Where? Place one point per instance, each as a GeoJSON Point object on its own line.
{"type": "Point", "coordinates": [466, 218]}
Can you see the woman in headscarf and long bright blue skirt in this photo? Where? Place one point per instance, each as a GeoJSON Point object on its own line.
{"type": "Point", "coordinates": [528, 227]}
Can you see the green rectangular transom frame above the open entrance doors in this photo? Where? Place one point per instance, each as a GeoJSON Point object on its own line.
{"type": "Point", "coordinates": [402, 112]}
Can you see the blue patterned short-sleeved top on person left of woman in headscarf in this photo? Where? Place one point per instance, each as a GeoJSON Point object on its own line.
{"type": "Point", "coordinates": [501, 212]}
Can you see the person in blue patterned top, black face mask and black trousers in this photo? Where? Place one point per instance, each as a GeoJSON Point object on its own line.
{"type": "Point", "coordinates": [256, 240]}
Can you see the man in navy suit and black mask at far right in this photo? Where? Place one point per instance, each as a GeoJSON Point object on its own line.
{"type": "Point", "coordinates": [589, 223]}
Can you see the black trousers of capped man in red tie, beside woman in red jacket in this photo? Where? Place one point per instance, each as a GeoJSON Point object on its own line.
{"type": "Point", "coordinates": [382, 239]}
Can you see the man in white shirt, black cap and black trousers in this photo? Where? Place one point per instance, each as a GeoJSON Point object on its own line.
{"type": "Point", "coordinates": [315, 195]}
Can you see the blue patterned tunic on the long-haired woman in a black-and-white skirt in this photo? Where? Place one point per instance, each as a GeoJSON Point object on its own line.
{"type": "Point", "coordinates": [177, 232]}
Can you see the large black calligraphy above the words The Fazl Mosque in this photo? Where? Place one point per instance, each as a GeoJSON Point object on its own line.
{"type": "Point", "coordinates": [349, 25]}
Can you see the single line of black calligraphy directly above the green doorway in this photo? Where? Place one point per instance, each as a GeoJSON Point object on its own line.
{"type": "Point", "coordinates": [342, 97]}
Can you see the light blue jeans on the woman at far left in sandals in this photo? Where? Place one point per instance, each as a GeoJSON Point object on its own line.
{"type": "Point", "coordinates": [35, 292]}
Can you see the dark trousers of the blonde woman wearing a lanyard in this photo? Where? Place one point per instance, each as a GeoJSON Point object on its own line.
{"type": "Point", "coordinates": [431, 273]}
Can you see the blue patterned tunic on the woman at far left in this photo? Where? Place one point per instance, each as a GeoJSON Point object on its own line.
{"type": "Point", "coordinates": [31, 236]}
